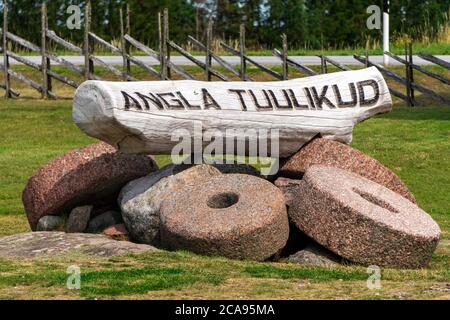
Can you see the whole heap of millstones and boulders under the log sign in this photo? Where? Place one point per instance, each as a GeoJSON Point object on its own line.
{"type": "Point", "coordinates": [329, 204]}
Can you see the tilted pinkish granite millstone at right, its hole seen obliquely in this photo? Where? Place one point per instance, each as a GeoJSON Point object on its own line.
{"type": "Point", "coordinates": [363, 221]}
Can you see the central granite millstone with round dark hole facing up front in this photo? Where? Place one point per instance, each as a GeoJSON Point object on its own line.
{"type": "Point", "coordinates": [236, 216]}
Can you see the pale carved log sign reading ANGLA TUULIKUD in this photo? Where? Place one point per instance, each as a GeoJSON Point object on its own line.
{"type": "Point", "coordinates": [141, 117]}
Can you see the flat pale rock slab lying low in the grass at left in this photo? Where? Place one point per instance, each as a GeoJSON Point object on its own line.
{"type": "Point", "coordinates": [34, 244]}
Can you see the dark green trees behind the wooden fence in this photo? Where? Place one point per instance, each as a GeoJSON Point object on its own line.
{"type": "Point", "coordinates": [313, 24]}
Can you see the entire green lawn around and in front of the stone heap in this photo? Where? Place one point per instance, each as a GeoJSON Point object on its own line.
{"type": "Point", "coordinates": [413, 142]}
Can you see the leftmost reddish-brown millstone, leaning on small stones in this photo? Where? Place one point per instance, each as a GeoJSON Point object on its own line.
{"type": "Point", "coordinates": [80, 177]}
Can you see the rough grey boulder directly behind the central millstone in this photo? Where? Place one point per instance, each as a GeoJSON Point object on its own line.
{"type": "Point", "coordinates": [140, 200]}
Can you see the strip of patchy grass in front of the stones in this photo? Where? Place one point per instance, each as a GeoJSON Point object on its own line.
{"type": "Point", "coordinates": [183, 275]}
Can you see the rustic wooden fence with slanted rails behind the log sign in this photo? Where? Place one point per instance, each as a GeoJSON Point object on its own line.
{"type": "Point", "coordinates": [167, 68]}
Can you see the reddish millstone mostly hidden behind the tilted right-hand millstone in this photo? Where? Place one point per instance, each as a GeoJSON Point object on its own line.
{"type": "Point", "coordinates": [339, 155]}
